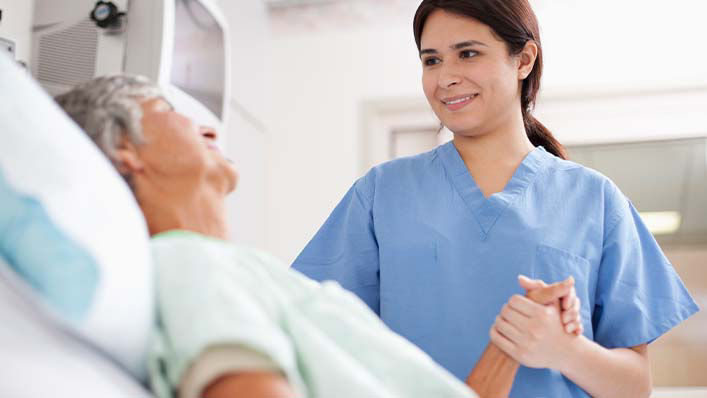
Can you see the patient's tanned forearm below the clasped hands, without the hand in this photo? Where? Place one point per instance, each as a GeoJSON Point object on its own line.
{"type": "Point", "coordinates": [493, 375]}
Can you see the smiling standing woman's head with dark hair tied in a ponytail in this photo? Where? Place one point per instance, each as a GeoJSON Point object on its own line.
{"type": "Point", "coordinates": [494, 54]}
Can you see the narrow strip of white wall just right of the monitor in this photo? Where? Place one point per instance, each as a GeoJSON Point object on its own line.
{"type": "Point", "coordinates": [247, 139]}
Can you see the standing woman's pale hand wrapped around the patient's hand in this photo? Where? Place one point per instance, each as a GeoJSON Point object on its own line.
{"type": "Point", "coordinates": [533, 333]}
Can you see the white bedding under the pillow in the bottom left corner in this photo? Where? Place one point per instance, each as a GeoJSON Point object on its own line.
{"type": "Point", "coordinates": [41, 360]}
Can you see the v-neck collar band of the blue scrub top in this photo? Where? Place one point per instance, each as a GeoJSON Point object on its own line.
{"type": "Point", "coordinates": [488, 210]}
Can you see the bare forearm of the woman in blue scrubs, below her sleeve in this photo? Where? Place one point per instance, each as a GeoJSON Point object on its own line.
{"type": "Point", "coordinates": [602, 372]}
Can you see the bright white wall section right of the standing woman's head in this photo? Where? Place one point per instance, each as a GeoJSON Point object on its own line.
{"type": "Point", "coordinates": [605, 44]}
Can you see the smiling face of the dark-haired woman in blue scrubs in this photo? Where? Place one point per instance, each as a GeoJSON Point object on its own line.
{"type": "Point", "coordinates": [468, 77]}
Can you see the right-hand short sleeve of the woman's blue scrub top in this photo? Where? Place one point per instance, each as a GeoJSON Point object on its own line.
{"type": "Point", "coordinates": [639, 295]}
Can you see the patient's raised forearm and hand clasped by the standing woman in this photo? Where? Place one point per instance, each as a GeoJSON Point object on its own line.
{"type": "Point", "coordinates": [493, 375]}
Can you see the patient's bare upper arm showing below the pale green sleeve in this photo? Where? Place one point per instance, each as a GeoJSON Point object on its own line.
{"type": "Point", "coordinates": [251, 385]}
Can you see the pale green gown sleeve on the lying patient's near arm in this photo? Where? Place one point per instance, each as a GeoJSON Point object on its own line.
{"type": "Point", "coordinates": [206, 300]}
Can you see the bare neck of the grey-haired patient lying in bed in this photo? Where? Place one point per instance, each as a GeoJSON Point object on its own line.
{"type": "Point", "coordinates": [202, 211]}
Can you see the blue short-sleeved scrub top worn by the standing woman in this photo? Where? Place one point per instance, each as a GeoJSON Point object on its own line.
{"type": "Point", "coordinates": [418, 242]}
